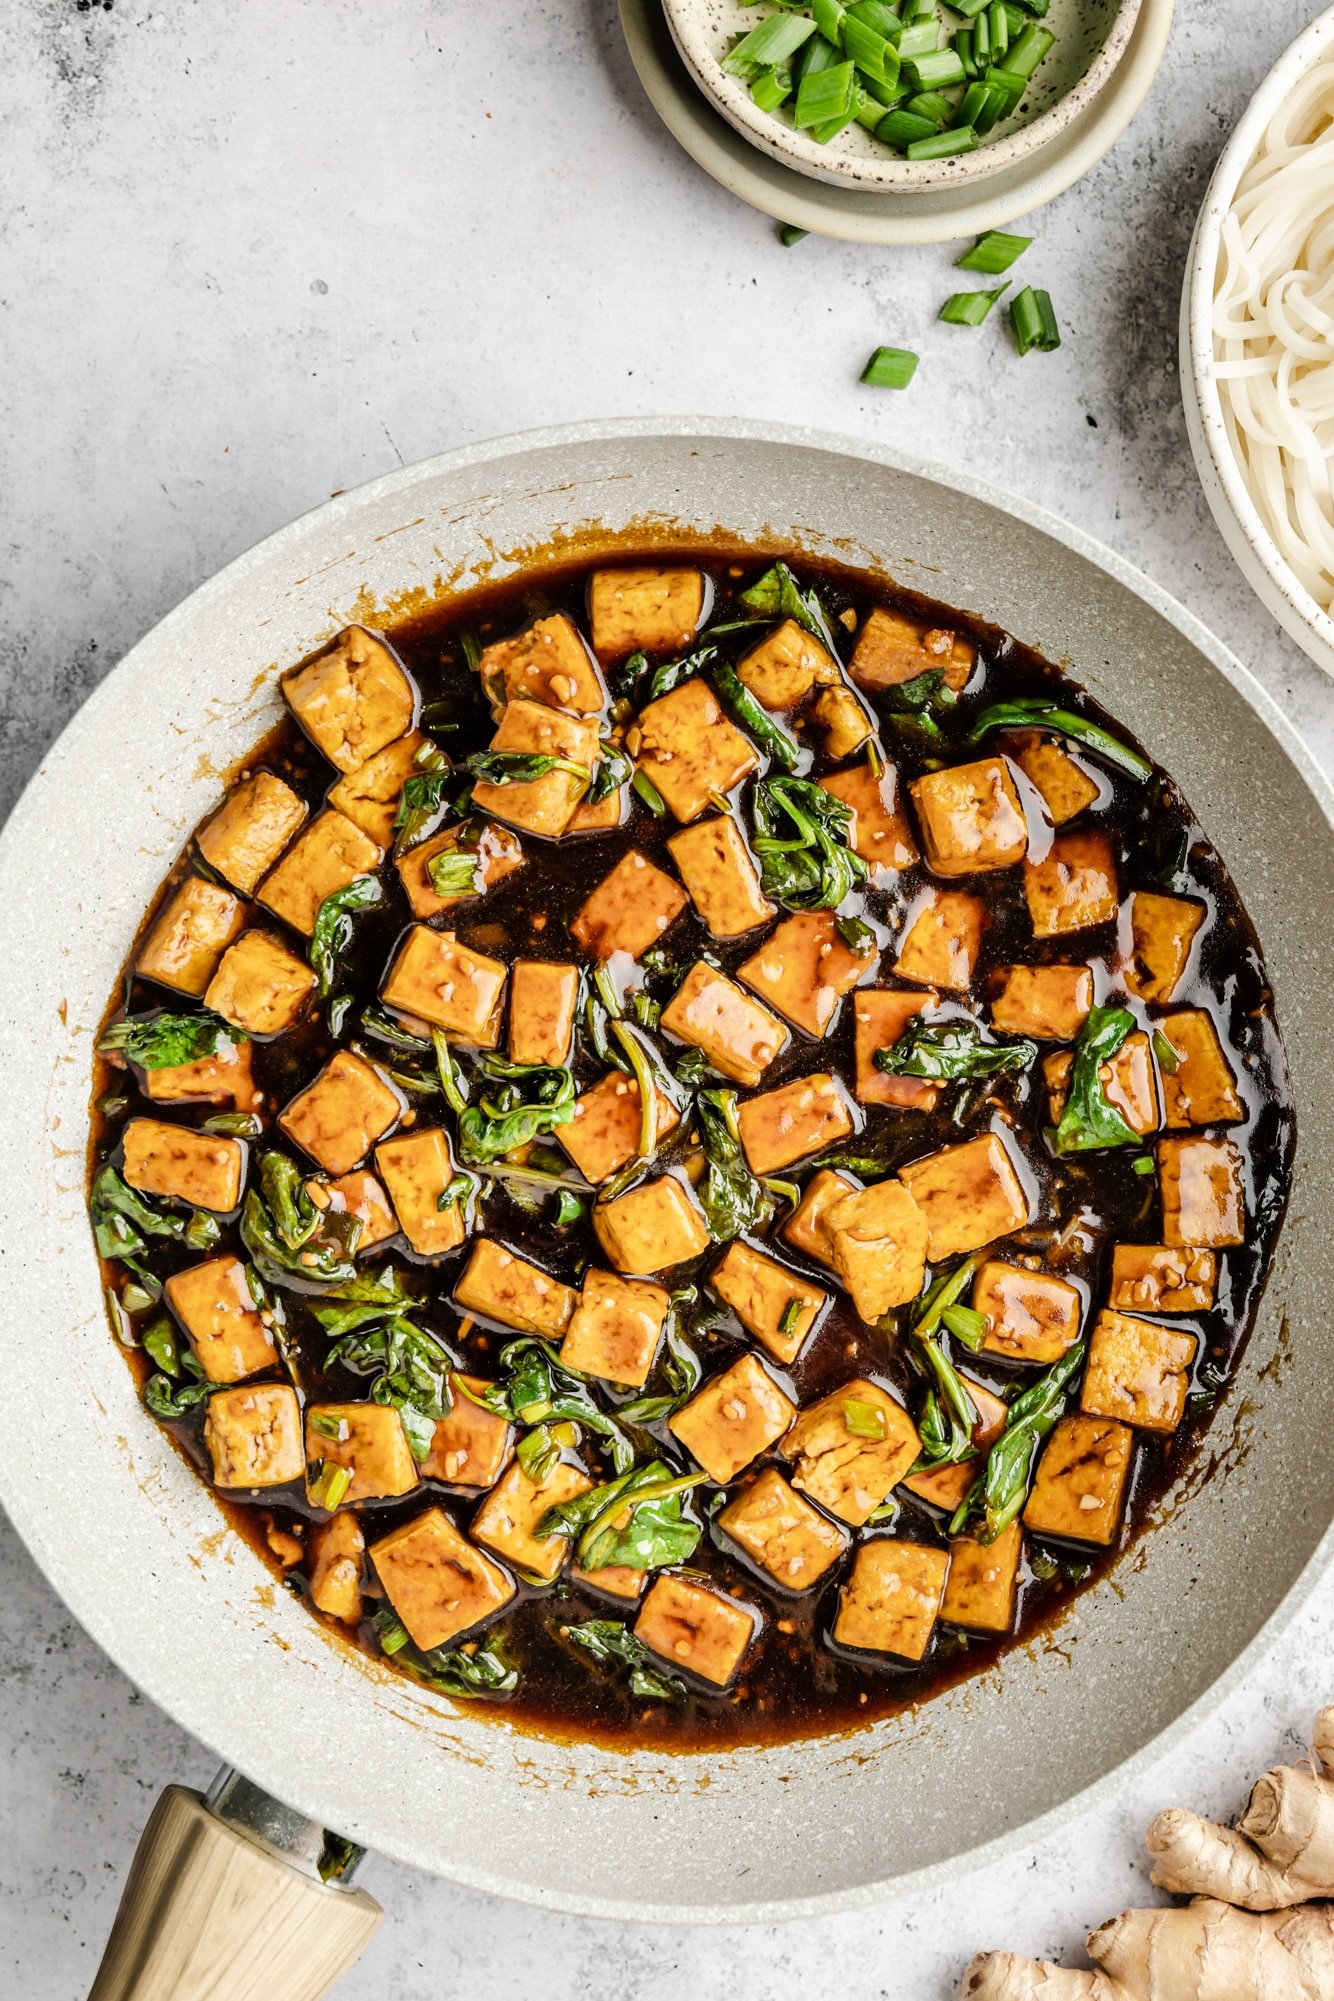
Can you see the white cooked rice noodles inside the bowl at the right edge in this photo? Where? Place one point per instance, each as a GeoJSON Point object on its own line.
{"type": "Point", "coordinates": [1275, 331]}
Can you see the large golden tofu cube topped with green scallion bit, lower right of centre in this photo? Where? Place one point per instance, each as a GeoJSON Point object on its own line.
{"type": "Point", "coordinates": [841, 1462]}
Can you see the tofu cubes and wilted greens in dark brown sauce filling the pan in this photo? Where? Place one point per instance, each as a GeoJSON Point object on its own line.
{"type": "Point", "coordinates": [691, 1146]}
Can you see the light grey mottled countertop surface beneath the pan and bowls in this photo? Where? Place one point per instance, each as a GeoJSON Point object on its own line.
{"type": "Point", "coordinates": [259, 253]}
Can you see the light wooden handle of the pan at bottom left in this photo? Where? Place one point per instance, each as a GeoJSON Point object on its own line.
{"type": "Point", "coordinates": [211, 1914]}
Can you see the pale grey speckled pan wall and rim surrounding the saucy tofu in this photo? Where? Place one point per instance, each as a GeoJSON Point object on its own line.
{"type": "Point", "coordinates": [135, 1542]}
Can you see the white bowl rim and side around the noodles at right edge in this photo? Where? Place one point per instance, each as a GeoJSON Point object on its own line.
{"type": "Point", "coordinates": [1221, 473]}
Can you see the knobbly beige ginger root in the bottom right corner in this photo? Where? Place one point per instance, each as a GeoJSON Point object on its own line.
{"type": "Point", "coordinates": [1239, 1938]}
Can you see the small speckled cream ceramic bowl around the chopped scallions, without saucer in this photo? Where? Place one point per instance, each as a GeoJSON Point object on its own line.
{"type": "Point", "coordinates": [1091, 39]}
